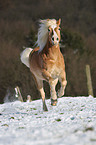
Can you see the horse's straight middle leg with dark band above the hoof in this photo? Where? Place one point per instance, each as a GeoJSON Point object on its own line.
{"type": "Point", "coordinates": [53, 91]}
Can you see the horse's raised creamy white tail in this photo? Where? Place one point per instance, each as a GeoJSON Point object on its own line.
{"type": "Point", "coordinates": [25, 56]}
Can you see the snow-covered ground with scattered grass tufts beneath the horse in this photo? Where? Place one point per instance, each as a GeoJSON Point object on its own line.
{"type": "Point", "coordinates": [71, 122]}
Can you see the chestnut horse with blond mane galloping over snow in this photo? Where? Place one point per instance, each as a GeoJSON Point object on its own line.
{"type": "Point", "coordinates": [46, 61]}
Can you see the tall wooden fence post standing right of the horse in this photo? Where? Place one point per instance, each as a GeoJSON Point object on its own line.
{"type": "Point", "coordinates": [89, 81]}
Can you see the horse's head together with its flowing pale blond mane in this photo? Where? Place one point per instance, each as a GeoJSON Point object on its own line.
{"type": "Point", "coordinates": [49, 30]}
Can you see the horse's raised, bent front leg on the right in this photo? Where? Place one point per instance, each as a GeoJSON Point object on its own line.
{"type": "Point", "coordinates": [63, 82]}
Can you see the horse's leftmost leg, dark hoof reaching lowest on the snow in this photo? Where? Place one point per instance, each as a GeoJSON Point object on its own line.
{"type": "Point", "coordinates": [39, 84]}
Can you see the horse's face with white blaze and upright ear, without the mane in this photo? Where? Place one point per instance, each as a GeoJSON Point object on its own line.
{"type": "Point", "coordinates": [54, 33]}
